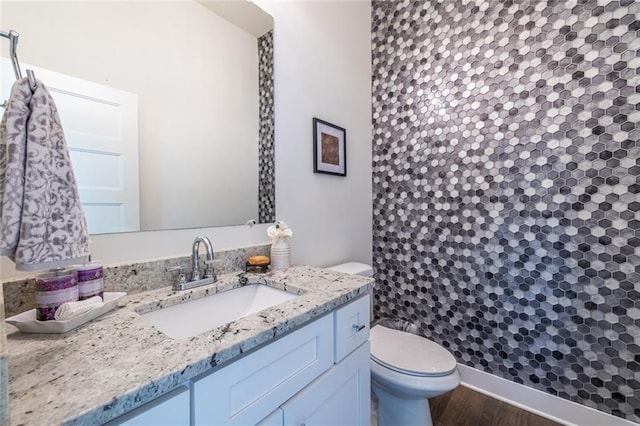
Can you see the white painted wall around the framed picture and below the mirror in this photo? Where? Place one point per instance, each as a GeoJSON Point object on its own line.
{"type": "Point", "coordinates": [322, 69]}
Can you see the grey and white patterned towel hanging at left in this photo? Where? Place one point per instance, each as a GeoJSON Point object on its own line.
{"type": "Point", "coordinates": [42, 225]}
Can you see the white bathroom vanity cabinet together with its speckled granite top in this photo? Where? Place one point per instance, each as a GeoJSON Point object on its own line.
{"type": "Point", "coordinates": [305, 360]}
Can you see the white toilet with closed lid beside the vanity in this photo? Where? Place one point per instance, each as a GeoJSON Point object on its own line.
{"type": "Point", "coordinates": [406, 369]}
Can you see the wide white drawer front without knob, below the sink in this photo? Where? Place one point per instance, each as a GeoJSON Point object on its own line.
{"type": "Point", "coordinates": [248, 390]}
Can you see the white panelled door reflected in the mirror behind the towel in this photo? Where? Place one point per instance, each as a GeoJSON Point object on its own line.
{"type": "Point", "coordinates": [101, 129]}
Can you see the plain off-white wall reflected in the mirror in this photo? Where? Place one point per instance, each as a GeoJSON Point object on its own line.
{"type": "Point", "coordinates": [196, 77]}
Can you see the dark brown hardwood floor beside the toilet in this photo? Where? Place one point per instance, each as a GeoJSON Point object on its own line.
{"type": "Point", "coordinates": [466, 407]}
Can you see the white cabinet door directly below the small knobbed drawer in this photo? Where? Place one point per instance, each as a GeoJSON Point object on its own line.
{"type": "Point", "coordinates": [341, 396]}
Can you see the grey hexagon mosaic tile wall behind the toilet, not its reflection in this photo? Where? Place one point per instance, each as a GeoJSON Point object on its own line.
{"type": "Point", "coordinates": [506, 168]}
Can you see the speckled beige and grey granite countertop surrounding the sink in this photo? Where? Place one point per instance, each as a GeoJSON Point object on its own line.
{"type": "Point", "coordinates": [119, 361]}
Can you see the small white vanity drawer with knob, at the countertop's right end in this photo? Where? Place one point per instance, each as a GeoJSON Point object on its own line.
{"type": "Point", "coordinates": [351, 327]}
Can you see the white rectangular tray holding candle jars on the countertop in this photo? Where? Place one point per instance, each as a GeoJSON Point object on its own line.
{"type": "Point", "coordinates": [27, 322]}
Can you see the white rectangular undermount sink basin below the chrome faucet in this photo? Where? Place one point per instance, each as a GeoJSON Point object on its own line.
{"type": "Point", "coordinates": [196, 316]}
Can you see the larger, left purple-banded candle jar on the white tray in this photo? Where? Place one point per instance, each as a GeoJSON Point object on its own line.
{"type": "Point", "coordinates": [52, 290]}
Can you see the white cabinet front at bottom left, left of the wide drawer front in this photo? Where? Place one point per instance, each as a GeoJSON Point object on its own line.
{"type": "Point", "coordinates": [172, 409]}
